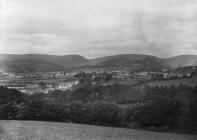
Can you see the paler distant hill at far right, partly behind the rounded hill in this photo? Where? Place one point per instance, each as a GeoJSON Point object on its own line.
{"type": "Point", "coordinates": [181, 60]}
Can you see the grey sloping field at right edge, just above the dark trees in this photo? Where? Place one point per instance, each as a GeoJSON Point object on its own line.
{"type": "Point", "coordinates": [189, 82]}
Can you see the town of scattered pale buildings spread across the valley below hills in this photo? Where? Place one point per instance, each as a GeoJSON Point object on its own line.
{"type": "Point", "coordinates": [44, 82]}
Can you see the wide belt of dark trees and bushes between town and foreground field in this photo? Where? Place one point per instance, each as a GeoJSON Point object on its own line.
{"type": "Point", "coordinates": [156, 108]}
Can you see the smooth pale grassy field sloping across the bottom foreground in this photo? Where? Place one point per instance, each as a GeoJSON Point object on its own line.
{"type": "Point", "coordinates": [34, 130]}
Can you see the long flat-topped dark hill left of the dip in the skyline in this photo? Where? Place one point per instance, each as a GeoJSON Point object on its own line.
{"type": "Point", "coordinates": [40, 62]}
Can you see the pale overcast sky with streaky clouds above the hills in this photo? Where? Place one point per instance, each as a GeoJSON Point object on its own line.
{"type": "Point", "coordinates": [94, 28]}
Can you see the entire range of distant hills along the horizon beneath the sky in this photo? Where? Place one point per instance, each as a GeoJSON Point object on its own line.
{"type": "Point", "coordinates": [122, 60]}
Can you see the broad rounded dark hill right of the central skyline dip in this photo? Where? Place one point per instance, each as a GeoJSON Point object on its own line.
{"type": "Point", "coordinates": [145, 62]}
